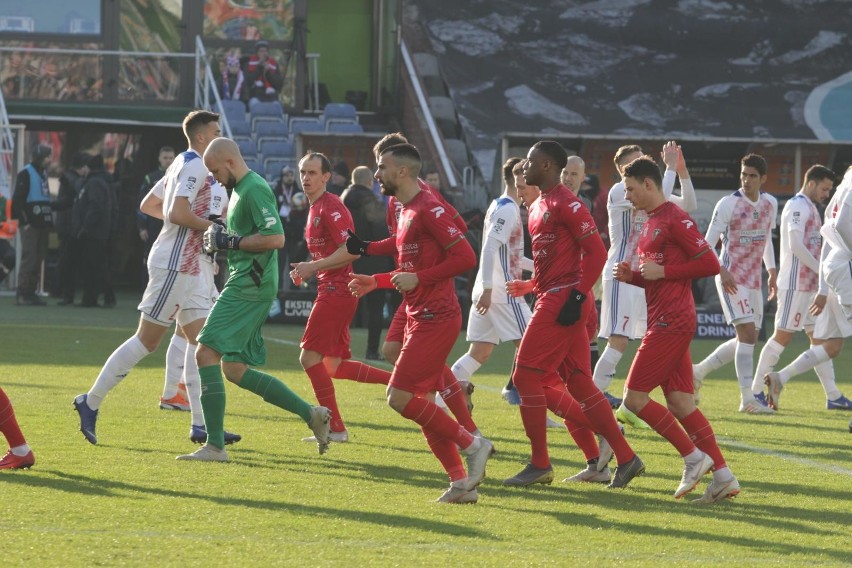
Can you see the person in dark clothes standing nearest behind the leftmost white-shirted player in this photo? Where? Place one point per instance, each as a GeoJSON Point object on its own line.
{"type": "Point", "coordinates": [92, 221]}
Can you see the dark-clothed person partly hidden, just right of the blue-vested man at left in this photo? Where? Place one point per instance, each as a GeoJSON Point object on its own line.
{"type": "Point", "coordinates": [70, 184]}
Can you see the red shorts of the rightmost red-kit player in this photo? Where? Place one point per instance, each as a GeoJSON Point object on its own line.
{"type": "Point", "coordinates": [662, 360]}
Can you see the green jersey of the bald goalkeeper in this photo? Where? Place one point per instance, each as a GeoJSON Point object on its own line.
{"type": "Point", "coordinates": [252, 210]}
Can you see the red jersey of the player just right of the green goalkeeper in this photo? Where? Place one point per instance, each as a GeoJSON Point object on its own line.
{"type": "Point", "coordinates": [325, 232]}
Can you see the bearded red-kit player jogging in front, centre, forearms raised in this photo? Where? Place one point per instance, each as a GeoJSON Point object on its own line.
{"type": "Point", "coordinates": [431, 251]}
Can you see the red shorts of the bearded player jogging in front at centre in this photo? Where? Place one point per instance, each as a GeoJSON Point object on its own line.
{"type": "Point", "coordinates": [425, 349]}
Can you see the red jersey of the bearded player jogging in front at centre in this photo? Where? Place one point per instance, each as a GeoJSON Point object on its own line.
{"type": "Point", "coordinates": [426, 230]}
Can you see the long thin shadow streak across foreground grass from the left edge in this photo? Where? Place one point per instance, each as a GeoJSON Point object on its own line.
{"type": "Point", "coordinates": [85, 485]}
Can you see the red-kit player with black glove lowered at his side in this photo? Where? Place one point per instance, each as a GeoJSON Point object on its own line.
{"type": "Point", "coordinates": [568, 255]}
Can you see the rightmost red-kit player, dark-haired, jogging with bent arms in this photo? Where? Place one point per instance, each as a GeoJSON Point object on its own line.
{"type": "Point", "coordinates": [671, 254]}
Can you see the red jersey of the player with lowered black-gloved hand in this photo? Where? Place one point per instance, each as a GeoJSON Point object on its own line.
{"type": "Point", "coordinates": [557, 221]}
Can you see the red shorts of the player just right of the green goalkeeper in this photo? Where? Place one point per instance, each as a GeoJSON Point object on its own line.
{"type": "Point", "coordinates": [327, 331]}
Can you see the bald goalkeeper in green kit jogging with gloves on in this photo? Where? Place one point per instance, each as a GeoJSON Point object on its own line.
{"type": "Point", "coordinates": [230, 342]}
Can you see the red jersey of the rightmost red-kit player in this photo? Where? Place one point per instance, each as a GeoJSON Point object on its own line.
{"type": "Point", "coordinates": [670, 237]}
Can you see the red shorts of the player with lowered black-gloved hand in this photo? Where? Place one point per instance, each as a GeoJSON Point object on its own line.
{"type": "Point", "coordinates": [547, 345]}
